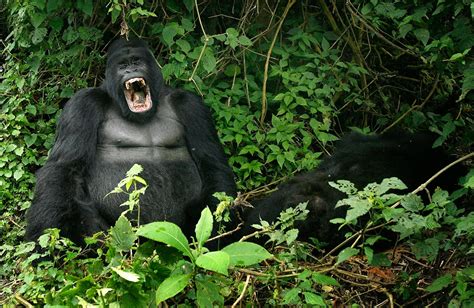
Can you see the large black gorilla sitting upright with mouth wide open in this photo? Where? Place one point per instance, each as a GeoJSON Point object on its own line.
{"type": "Point", "coordinates": [133, 117]}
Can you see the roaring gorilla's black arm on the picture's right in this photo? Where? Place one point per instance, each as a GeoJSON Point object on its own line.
{"type": "Point", "coordinates": [204, 145]}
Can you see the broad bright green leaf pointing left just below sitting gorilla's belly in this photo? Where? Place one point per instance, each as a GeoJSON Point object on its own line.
{"type": "Point", "coordinates": [167, 233]}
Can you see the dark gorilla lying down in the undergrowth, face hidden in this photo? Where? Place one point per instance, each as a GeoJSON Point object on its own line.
{"type": "Point", "coordinates": [362, 160]}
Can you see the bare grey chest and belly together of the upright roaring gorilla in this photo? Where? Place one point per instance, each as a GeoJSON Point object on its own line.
{"type": "Point", "coordinates": [159, 146]}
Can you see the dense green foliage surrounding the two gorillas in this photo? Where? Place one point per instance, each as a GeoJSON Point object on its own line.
{"type": "Point", "coordinates": [284, 80]}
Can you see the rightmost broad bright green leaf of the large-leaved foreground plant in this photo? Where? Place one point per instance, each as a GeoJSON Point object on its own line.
{"type": "Point", "coordinates": [245, 254]}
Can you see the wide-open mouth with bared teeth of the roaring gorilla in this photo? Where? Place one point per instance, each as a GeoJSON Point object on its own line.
{"type": "Point", "coordinates": [137, 94]}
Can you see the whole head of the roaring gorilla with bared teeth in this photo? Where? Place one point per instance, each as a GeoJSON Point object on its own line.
{"type": "Point", "coordinates": [133, 79]}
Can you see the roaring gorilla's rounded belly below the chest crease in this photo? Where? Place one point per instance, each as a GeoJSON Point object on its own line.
{"type": "Point", "coordinates": [173, 179]}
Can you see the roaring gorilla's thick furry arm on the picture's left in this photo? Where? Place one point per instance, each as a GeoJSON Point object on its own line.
{"type": "Point", "coordinates": [60, 195]}
